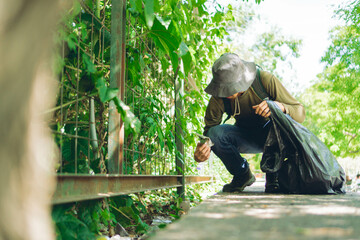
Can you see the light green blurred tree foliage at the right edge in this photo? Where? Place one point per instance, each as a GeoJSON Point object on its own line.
{"type": "Point", "coordinates": [333, 102]}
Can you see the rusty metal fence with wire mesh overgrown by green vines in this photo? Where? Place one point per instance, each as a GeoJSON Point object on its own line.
{"type": "Point", "coordinates": [105, 57]}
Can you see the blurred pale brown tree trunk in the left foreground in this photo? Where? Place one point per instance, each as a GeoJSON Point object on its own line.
{"type": "Point", "coordinates": [26, 90]}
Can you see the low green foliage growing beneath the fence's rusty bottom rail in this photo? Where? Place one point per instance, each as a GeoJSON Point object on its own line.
{"type": "Point", "coordinates": [135, 212]}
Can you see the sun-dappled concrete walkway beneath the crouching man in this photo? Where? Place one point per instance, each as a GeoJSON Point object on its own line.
{"type": "Point", "coordinates": [254, 214]}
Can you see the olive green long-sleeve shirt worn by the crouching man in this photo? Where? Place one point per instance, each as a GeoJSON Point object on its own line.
{"type": "Point", "coordinates": [247, 116]}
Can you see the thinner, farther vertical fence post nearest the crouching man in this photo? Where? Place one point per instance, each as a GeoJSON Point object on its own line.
{"type": "Point", "coordinates": [179, 135]}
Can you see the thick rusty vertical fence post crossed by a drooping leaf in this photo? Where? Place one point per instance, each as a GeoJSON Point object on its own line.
{"type": "Point", "coordinates": [117, 80]}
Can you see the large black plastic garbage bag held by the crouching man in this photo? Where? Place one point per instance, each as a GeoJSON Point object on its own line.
{"type": "Point", "coordinates": [301, 160]}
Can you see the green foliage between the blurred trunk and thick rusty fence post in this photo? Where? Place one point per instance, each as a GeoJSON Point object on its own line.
{"type": "Point", "coordinates": [84, 76]}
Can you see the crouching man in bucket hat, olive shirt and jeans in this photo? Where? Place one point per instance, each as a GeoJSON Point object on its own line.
{"type": "Point", "coordinates": [238, 88]}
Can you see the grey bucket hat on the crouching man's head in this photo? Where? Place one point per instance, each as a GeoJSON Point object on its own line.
{"type": "Point", "coordinates": [230, 75]}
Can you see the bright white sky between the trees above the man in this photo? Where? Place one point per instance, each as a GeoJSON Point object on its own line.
{"type": "Point", "coordinates": [309, 20]}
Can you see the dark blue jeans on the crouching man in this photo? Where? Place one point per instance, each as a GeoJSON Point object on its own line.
{"type": "Point", "coordinates": [230, 141]}
